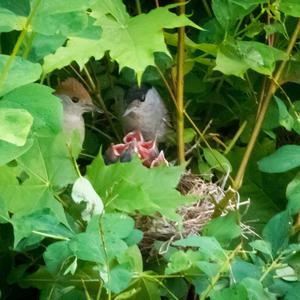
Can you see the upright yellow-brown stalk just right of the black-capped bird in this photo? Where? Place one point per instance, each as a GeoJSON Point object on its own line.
{"type": "Point", "coordinates": [180, 88]}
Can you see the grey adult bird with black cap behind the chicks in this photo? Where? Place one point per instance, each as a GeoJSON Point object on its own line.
{"type": "Point", "coordinates": [145, 111]}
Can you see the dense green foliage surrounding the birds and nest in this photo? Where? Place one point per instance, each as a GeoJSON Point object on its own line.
{"type": "Point", "coordinates": [241, 69]}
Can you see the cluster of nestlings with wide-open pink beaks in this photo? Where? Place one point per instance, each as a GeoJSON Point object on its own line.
{"type": "Point", "coordinates": [134, 142]}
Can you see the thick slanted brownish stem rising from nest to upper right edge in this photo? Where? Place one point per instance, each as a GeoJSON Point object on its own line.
{"type": "Point", "coordinates": [264, 107]}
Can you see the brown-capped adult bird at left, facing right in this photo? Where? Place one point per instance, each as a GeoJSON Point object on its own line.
{"type": "Point", "coordinates": [76, 100]}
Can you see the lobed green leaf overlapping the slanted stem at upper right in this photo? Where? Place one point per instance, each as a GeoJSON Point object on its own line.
{"type": "Point", "coordinates": [236, 57]}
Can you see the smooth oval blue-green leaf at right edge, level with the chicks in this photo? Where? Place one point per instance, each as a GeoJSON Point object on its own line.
{"type": "Point", "coordinates": [283, 159]}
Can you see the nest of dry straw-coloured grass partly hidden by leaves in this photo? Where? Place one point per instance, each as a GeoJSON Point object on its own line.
{"type": "Point", "coordinates": [194, 216]}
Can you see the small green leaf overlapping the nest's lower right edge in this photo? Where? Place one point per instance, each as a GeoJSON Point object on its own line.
{"type": "Point", "coordinates": [224, 228]}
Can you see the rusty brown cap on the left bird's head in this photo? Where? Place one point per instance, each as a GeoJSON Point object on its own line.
{"type": "Point", "coordinates": [75, 90]}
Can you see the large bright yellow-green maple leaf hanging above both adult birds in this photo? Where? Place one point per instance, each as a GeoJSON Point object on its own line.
{"type": "Point", "coordinates": [131, 41]}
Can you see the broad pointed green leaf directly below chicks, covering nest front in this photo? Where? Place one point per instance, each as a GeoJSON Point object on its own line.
{"type": "Point", "coordinates": [131, 187]}
